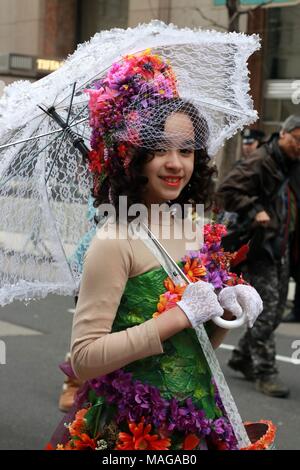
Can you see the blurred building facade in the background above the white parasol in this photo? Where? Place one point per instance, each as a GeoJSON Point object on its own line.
{"type": "Point", "coordinates": [37, 35]}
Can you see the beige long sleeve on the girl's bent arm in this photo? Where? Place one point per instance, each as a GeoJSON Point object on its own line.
{"type": "Point", "coordinates": [96, 351]}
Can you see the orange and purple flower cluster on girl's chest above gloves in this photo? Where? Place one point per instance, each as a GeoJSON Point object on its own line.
{"type": "Point", "coordinates": [210, 264]}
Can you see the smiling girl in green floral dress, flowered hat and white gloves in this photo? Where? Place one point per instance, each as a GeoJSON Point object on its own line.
{"type": "Point", "coordinates": [147, 382]}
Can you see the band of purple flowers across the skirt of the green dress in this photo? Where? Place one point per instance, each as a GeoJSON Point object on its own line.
{"type": "Point", "coordinates": [135, 400]}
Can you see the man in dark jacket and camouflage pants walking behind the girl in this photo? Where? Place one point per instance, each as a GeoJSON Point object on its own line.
{"type": "Point", "coordinates": [258, 190]}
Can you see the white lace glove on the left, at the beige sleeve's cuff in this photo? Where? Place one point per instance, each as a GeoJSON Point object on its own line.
{"type": "Point", "coordinates": [200, 303]}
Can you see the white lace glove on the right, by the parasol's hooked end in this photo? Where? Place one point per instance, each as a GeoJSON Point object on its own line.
{"type": "Point", "coordinates": [242, 299]}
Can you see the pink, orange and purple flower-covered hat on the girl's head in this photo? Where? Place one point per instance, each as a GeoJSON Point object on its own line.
{"type": "Point", "coordinates": [123, 102]}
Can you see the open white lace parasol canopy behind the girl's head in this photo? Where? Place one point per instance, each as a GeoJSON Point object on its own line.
{"type": "Point", "coordinates": [44, 182]}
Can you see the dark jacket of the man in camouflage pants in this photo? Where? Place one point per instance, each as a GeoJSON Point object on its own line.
{"type": "Point", "coordinates": [258, 183]}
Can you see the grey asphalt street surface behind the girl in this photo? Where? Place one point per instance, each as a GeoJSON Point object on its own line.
{"type": "Point", "coordinates": [36, 338]}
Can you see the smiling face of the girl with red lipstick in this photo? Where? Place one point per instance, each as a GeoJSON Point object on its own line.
{"type": "Point", "coordinates": [172, 166]}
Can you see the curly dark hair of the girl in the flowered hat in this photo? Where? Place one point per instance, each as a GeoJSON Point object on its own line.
{"type": "Point", "coordinates": [131, 182]}
